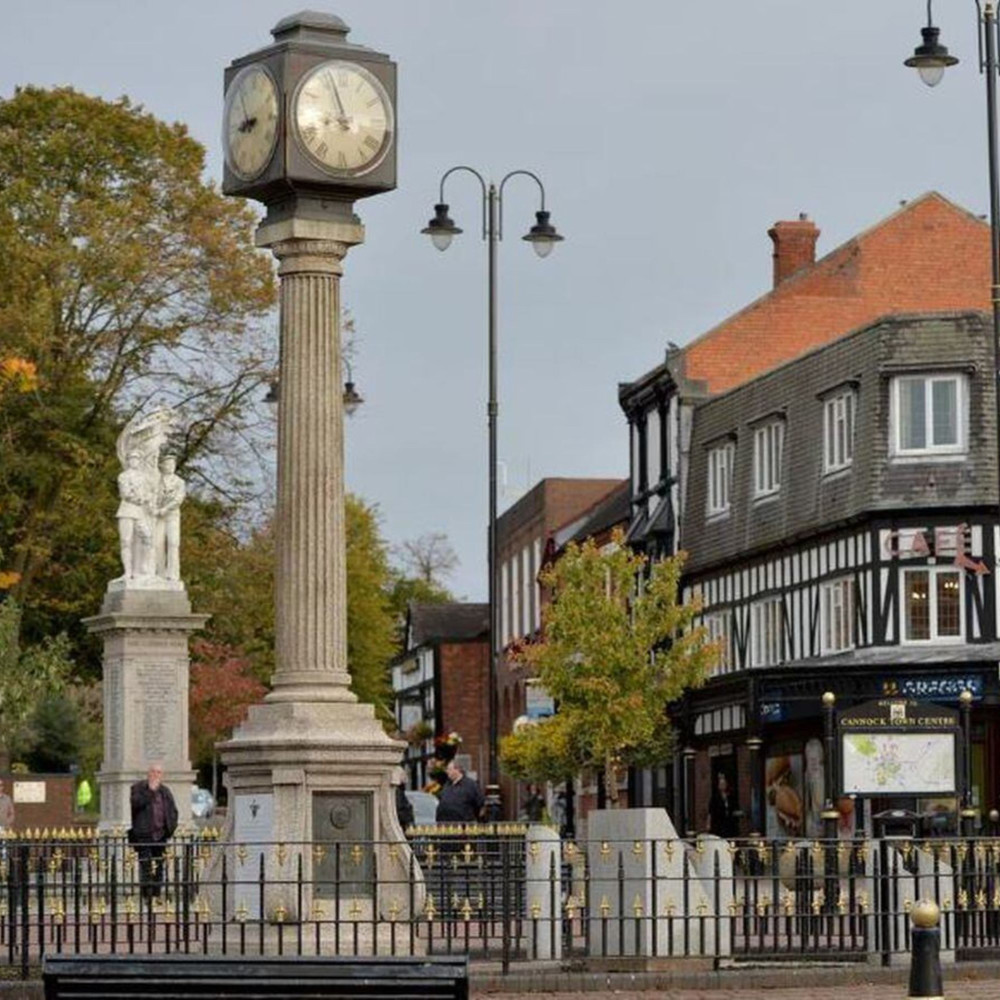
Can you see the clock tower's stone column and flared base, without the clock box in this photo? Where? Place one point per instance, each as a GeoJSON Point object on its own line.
{"type": "Point", "coordinates": [312, 766]}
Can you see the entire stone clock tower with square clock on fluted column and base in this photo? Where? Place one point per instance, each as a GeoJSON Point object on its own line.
{"type": "Point", "coordinates": [309, 127]}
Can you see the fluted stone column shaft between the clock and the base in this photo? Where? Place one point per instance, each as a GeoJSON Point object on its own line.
{"type": "Point", "coordinates": [310, 571]}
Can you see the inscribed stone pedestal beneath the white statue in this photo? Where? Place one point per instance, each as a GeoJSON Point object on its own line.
{"type": "Point", "coordinates": [145, 633]}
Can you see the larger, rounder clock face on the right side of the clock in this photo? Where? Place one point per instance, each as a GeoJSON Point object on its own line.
{"type": "Point", "coordinates": [343, 118]}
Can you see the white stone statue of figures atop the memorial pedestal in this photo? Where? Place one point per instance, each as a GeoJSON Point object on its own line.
{"type": "Point", "coordinates": [151, 492]}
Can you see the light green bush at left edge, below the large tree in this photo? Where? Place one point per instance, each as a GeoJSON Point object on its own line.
{"type": "Point", "coordinates": [27, 675]}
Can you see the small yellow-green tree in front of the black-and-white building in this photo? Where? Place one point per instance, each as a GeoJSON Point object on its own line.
{"type": "Point", "coordinates": [614, 654]}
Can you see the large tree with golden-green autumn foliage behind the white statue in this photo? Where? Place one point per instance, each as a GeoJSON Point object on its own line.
{"type": "Point", "coordinates": [125, 280]}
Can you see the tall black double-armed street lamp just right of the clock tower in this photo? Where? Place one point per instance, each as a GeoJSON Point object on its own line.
{"type": "Point", "coordinates": [543, 237]}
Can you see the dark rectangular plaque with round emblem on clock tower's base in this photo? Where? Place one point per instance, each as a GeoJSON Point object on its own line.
{"type": "Point", "coordinates": [342, 823]}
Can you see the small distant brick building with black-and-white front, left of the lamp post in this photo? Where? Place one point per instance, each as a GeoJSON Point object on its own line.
{"type": "Point", "coordinates": [441, 685]}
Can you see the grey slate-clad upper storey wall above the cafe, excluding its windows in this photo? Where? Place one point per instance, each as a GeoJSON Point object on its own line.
{"type": "Point", "coordinates": [808, 500]}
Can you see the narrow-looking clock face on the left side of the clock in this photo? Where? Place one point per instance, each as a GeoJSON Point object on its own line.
{"type": "Point", "coordinates": [250, 122]}
